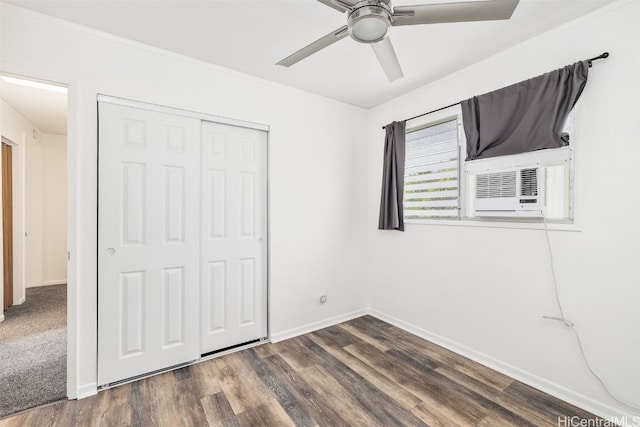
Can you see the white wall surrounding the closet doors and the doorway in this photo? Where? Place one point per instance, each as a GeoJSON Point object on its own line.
{"type": "Point", "coordinates": [316, 176]}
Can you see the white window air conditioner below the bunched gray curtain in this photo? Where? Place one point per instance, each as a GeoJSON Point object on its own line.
{"type": "Point", "coordinates": [512, 192]}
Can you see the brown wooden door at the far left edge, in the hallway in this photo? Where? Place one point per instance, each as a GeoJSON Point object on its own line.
{"type": "Point", "coordinates": [7, 224]}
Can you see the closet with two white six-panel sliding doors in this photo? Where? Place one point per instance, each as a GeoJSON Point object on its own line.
{"type": "Point", "coordinates": [182, 230]}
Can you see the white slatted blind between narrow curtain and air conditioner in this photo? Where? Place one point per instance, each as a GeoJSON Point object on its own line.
{"type": "Point", "coordinates": [431, 188]}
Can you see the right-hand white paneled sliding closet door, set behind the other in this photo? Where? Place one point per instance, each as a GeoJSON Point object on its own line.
{"type": "Point", "coordinates": [234, 235]}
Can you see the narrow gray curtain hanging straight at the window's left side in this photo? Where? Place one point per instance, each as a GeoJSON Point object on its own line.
{"type": "Point", "coordinates": [391, 211]}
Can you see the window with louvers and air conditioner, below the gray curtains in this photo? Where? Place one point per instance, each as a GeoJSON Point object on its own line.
{"type": "Point", "coordinates": [439, 184]}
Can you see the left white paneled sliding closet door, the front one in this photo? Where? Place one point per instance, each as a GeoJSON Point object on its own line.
{"type": "Point", "coordinates": [148, 241]}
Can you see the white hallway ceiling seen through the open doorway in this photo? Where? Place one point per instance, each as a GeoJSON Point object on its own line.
{"type": "Point", "coordinates": [45, 109]}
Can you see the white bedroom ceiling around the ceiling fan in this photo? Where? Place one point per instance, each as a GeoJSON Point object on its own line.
{"type": "Point", "coordinates": [252, 35]}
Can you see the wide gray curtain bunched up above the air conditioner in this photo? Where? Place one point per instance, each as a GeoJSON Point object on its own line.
{"type": "Point", "coordinates": [526, 116]}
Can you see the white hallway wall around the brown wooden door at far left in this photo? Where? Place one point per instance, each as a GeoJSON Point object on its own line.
{"type": "Point", "coordinates": [19, 131]}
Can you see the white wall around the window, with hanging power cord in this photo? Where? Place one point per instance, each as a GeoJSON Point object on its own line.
{"type": "Point", "coordinates": [483, 291]}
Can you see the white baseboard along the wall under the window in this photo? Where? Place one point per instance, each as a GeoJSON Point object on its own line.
{"type": "Point", "coordinates": [598, 408]}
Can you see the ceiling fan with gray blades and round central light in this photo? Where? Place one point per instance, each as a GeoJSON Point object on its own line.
{"type": "Point", "coordinates": [369, 21]}
